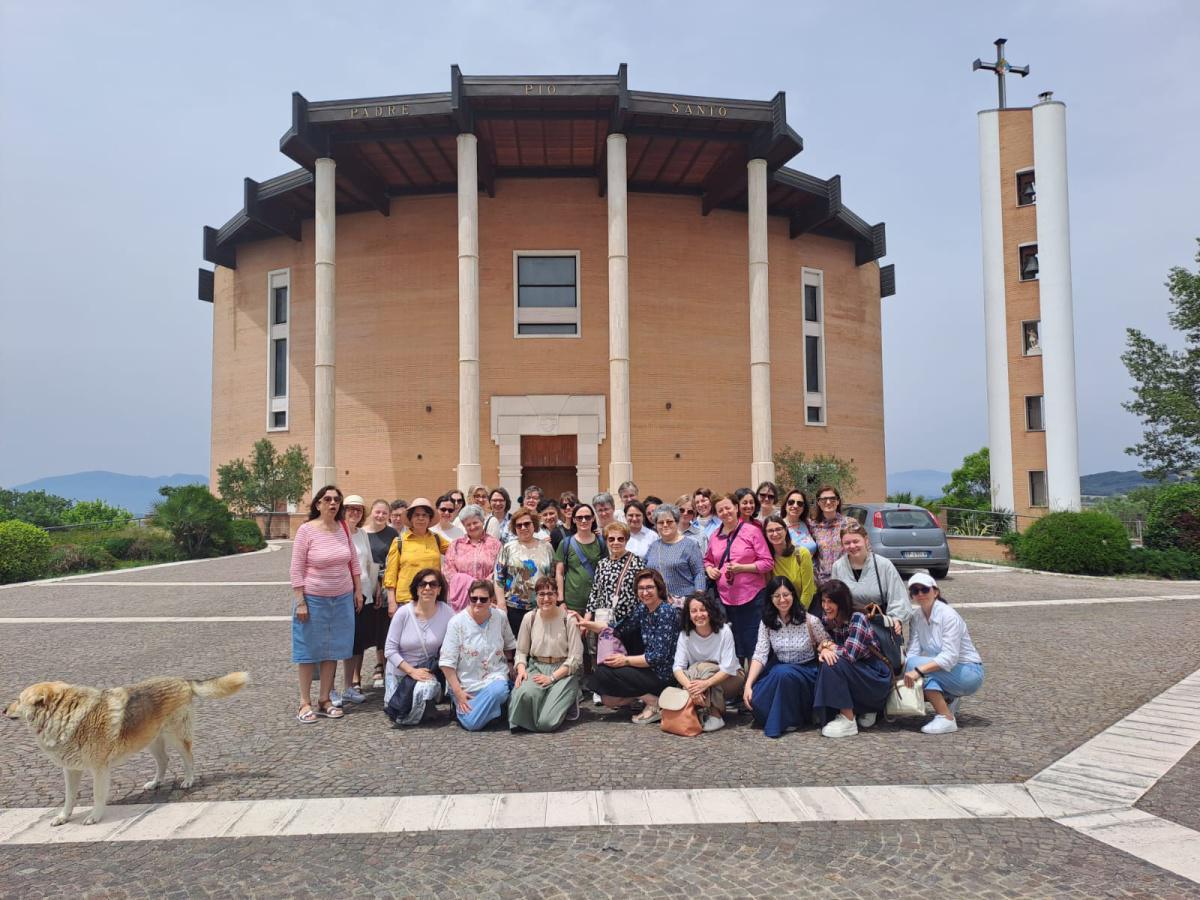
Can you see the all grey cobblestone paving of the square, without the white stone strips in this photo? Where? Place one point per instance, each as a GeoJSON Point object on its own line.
{"type": "Point", "coordinates": [1057, 676]}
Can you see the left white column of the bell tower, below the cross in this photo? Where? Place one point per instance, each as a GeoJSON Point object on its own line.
{"type": "Point", "coordinates": [995, 326]}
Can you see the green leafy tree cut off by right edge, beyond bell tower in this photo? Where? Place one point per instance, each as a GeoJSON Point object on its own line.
{"type": "Point", "coordinates": [1168, 386]}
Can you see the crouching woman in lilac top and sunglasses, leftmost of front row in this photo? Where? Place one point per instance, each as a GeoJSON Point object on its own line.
{"type": "Point", "coordinates": [415, 640]}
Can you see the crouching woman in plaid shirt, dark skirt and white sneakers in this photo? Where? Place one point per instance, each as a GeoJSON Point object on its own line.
{"type": "Point", "coordinates": [853, 676]}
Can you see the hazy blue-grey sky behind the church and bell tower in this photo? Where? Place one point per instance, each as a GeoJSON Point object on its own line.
{"type": "Point", "coordinates": [128, 127]}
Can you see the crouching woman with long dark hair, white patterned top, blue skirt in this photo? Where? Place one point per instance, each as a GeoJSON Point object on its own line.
{"type": "Point", "coordinates": [784, 669]}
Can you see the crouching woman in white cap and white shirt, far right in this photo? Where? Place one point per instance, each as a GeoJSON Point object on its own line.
{"type": "Point", "coordinates": [941, 652]}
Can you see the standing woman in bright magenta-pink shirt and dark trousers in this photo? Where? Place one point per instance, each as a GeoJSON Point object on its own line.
{"type": "Point", "coordinates": [740, 561]}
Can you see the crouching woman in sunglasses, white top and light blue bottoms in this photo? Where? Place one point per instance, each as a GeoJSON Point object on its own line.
{"type": "Point", "coordinates": [476, 657]}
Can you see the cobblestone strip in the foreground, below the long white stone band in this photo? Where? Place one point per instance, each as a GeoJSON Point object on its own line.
{"type": "Point", "coordinates": [952, 860]}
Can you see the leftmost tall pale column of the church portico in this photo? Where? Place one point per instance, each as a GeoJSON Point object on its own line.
{"type": "Point", "coordinates": [325, 469]}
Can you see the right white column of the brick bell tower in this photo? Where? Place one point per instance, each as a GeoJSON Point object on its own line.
{"type": "Point", "coordinates": [1058, 317]}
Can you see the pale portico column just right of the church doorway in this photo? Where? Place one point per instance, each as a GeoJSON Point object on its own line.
{"type": "Point", "coordinates": [621, 466]}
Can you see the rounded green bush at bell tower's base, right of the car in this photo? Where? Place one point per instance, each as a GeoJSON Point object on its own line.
{"type": "Point", "coordinates": [1076, 543]}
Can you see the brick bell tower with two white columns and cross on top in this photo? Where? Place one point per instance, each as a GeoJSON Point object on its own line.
{"type": "Point", "coordinates": [1029, 322]}
